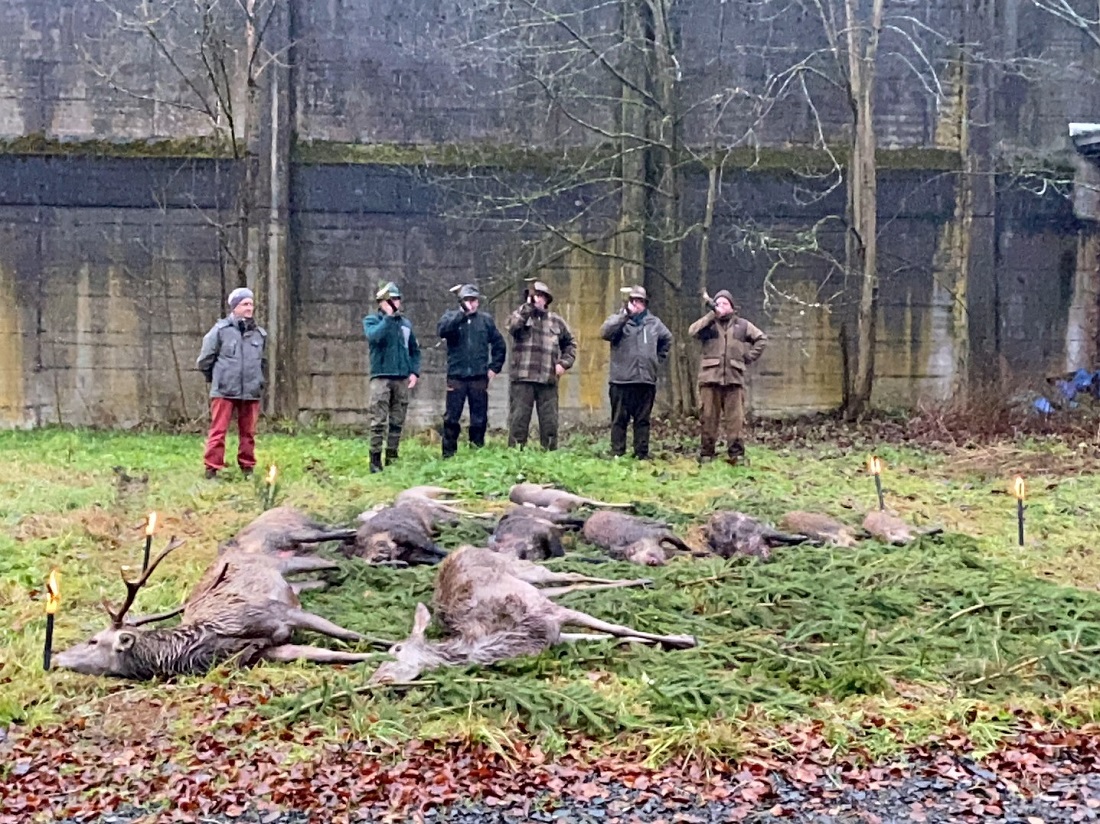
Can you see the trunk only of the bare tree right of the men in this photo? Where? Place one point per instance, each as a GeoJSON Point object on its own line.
{"type": "Point", "coordinates": [863, 199]}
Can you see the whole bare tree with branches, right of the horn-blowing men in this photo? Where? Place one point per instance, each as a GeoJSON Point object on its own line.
{"type": "Point", "coordinates": [844, 68]}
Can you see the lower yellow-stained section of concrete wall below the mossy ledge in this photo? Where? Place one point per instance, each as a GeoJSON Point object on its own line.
{"type": "Point", "coordinates": [104, 307]}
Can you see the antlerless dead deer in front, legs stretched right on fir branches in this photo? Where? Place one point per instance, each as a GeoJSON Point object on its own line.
{"type": "Point", "coordinates": [492, 609]}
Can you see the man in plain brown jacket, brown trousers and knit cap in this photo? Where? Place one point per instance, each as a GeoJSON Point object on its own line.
{"type": "Point", "coordinates": [730, 345]}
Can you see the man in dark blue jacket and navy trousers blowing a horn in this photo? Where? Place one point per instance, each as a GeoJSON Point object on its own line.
{"type": "Point", "coordinates": [476, 353]}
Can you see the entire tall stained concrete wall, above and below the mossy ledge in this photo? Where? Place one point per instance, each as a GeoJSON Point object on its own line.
{"type": "Point", "coordinates": [111, 269]}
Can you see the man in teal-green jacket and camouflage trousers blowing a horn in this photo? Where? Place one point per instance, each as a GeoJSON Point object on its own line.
{"type": "Point", "coordinates": [395, 368]}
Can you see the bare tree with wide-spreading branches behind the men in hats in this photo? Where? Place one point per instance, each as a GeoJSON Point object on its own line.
{"type": "Point", "coordinates": [601, 86]}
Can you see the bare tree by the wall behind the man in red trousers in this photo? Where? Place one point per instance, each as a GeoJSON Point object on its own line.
{"type": "Point", "coordinates": [212, 62]}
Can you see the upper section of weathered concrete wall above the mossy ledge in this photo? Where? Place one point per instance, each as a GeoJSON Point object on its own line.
{"type": "Point", "coordinates": [390, 71]}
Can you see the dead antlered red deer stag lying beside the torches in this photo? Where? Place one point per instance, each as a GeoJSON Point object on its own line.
{"type": "Point", "coordinates": [243, 608]}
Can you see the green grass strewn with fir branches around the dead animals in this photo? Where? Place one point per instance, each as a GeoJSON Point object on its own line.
{"type": "Point", "coordinates": [962, 631]}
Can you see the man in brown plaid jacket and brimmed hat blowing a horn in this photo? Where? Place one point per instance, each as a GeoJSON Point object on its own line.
{"type": "Point", "coordinates": [543, 349]}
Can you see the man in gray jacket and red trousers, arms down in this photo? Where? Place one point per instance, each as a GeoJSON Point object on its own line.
{"type": "Point", "coordinates": [235, 362]}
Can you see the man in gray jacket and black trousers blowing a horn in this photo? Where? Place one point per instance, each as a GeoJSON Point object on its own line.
{"type": "Point", "coordinates": [641, 344]}
